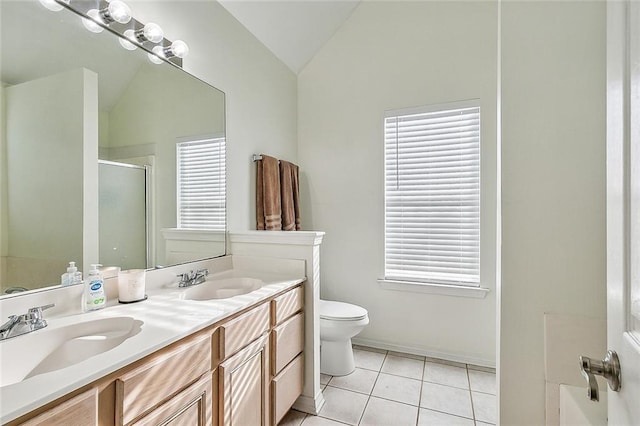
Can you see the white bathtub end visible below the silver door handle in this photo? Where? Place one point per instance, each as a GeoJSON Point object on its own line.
{"type": "Point", "coordinates": [577, 409]}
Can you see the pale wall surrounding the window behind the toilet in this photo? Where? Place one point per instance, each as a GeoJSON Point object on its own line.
{"type": "Point", "coordinates": [391, 55]}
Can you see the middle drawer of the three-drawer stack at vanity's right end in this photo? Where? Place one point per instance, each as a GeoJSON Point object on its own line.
{"type": "Point", "coordinates": [287, 342]}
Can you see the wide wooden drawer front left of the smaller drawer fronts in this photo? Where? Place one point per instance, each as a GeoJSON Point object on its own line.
{"type": "Point", "coordinates": [160, 377]}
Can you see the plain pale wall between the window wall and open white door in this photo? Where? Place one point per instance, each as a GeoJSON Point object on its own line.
{"type": "Point", "coordinates": [553, 186]}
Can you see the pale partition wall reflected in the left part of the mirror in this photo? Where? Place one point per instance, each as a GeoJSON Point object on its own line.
{"type": "Point", "coordinates": [42, 240]}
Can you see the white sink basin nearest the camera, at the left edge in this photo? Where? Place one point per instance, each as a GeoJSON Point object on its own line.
{"type": "Point", "coordinates": [51, 349]}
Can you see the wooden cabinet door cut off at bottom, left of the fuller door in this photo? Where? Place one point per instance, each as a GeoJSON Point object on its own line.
{"type": "Point", "coordinates": [191, 407]}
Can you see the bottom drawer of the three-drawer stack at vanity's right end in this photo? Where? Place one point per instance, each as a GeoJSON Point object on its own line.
{"type": "Point", "coordinates": [286, 387]}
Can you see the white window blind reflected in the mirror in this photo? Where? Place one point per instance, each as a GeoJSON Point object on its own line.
{"type": "Point", "coordinates": [201, 184]}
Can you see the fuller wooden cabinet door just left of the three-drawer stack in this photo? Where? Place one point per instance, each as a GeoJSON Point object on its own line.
{"type": "Point", "coordinates": [243, 386]}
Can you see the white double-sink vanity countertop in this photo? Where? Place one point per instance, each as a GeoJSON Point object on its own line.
{"type": "Point", "coordinates": [166, 318]}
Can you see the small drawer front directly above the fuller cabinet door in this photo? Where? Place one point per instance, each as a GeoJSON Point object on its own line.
{"type": "Point", "coordinates": [243, 330]}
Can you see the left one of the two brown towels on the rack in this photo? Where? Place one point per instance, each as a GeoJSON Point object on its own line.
{"type": "Point", "coordinates": [268, 210]}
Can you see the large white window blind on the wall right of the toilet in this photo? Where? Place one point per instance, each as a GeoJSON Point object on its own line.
{"type": "Point", "coordinates": [432, 194]}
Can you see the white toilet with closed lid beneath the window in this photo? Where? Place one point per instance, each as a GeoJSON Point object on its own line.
{"type": "Point", "coordinates": [339, 322]}
